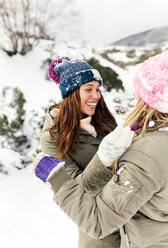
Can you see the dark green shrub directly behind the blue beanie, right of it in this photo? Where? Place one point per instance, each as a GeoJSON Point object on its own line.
{"type": "Point", "coordinates": [110, 77]}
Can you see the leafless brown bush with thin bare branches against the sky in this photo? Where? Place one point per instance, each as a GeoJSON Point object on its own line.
{"type": "Point", "coordinates": [26, 22]}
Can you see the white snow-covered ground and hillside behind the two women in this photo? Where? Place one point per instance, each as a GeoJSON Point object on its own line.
{"type": "Point", "coordinates": [28, 216]}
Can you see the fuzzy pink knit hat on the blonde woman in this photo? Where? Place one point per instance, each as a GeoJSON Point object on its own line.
{"type": "Point", "coordinates": [151, 82]}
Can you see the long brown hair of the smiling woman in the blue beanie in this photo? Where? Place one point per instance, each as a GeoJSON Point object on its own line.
{"type": "Point", "coordinates": [67, 122]}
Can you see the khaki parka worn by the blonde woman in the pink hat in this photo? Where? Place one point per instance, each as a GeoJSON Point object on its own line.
{"type": "Point", "coordinates": [134, 200]}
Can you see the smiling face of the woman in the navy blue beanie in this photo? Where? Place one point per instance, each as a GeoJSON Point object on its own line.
{"type": "Point", "coordinates": [89, 95]}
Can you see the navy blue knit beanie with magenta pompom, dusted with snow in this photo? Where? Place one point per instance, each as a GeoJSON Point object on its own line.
{"type": "Point", "coordinates": [70, 75]}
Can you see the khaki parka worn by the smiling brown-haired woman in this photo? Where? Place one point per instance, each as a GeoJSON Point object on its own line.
{"type": "Point", "coordinates": [92, 178]}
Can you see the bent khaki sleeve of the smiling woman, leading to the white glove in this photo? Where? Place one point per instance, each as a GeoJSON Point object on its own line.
{"type": "Point", "coordinates": [95, 176]}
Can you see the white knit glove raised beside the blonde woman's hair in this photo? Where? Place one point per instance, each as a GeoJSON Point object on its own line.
{"type": "Point", "coordinates": [115, 144]}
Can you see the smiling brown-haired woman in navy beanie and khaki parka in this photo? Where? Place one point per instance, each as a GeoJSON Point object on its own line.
{"type": "Point", "coordinates": [74, 128]}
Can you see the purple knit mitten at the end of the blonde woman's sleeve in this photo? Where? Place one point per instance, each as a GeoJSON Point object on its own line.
{"type": "Point", "coordinates": [46, 165]}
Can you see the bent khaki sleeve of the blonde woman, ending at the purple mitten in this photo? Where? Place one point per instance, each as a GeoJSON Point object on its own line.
{"type": "Point", "coordinates": [138, 179]}
